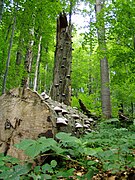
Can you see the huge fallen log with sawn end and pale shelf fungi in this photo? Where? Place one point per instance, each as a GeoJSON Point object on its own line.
{"type": "Point", "coordinates": [25, 114]}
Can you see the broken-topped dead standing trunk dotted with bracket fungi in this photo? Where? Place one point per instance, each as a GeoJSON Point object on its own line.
{"type": "Point", "coordinates": [61, 88]}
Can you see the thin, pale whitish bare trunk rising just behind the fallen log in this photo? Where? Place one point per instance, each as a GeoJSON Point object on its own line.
{"type": "Point", "coordinates": [37, 65]}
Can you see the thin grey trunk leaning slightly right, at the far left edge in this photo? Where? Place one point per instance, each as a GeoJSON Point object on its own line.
{"type": "Point", "coordinates": [8, 58]}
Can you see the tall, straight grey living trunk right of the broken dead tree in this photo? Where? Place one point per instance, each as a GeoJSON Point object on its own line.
{"type": "Point", "coordinates": [105, 89]}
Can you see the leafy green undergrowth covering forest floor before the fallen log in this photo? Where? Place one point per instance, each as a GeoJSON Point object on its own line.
{"type": "Point", "coordinates": [107, 149]}
